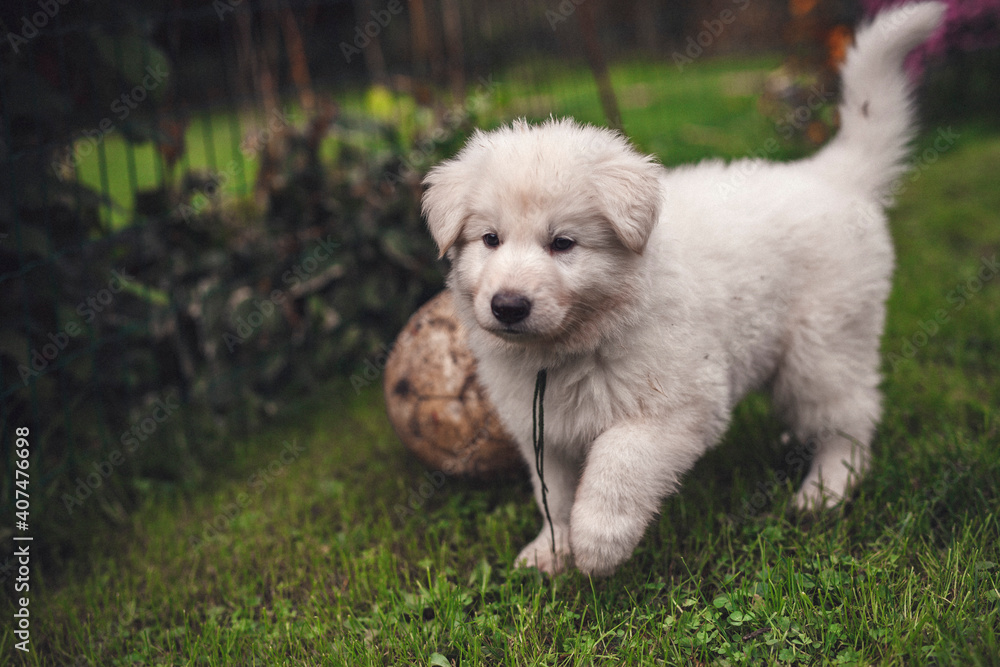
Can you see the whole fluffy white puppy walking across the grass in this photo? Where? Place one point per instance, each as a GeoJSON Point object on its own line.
{"type": "Point", "coordinates": [658, 298]}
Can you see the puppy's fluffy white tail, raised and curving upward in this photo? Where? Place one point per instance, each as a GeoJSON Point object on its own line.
{"type": "Point", "coordinates": [877, 114]}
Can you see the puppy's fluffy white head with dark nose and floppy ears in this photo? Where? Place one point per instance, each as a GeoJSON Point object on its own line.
{"type": "Point", "coordinates": [544, 226]}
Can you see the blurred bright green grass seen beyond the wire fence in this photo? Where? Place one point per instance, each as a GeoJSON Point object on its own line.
{"type": "Point", "coordinates": [665, 111]}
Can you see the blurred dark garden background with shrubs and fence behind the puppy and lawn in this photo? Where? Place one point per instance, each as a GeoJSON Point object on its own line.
{"type": "Point", "coordinates": [209, 210]}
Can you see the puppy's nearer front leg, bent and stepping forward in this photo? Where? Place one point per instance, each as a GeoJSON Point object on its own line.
{"type": "Point", "coordinates": [629, 470]}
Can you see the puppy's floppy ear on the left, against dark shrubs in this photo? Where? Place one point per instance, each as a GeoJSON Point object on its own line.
{"type": "Point", "coordinates": [445, 201]}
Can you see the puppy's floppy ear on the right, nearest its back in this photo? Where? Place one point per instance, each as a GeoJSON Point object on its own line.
{"type": "Point", "coordinates": [627, 192]}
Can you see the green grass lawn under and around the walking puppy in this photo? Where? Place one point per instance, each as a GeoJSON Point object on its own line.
{"type": "Point", "coordinates": [326, 543]}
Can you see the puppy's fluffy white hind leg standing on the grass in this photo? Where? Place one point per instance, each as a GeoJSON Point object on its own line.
{"type": "Point", "coordinates": [827, 388]}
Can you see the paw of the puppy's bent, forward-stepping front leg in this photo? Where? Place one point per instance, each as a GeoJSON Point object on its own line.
{"type": "Point", "coordinates": [602, 540]}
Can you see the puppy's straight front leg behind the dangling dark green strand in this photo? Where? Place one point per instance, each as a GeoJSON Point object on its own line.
{"type": "Point", "coordinates": [561, 475]}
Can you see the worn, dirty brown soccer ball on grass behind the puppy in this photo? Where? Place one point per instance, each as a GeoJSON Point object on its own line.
{"type": "Point", "coordinates": [435, 401]}
